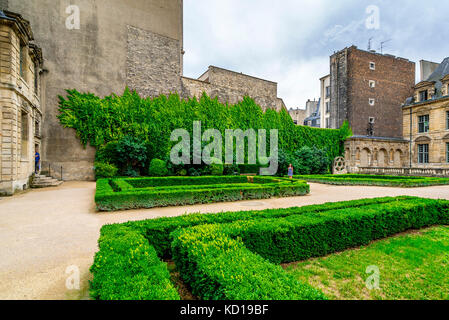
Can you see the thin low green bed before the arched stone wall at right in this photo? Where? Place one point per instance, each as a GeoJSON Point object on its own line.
{"type": "Point", "coordinates": [375, 180]}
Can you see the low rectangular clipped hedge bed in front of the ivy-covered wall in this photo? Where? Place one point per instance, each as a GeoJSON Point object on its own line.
{"type": "Point", "coordinates": [122, 194]}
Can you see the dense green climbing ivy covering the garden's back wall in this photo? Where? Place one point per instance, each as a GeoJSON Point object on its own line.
{"type": "Point", "coordinates": [101, 120]}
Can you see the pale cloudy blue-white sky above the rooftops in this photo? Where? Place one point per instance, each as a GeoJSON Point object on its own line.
{"type": "Point", "coordinates": [290, 41]}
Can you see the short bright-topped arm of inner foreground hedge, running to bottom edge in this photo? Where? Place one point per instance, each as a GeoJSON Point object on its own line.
{"type": "Point", "coordinates": [218, 267]}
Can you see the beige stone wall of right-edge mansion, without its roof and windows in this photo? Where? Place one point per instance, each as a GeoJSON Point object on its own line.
{"type": "Point", "coordinates": [438, 134]}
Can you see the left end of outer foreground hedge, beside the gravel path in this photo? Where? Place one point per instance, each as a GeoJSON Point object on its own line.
{"type": "Point", "coordinates": [128, 268]}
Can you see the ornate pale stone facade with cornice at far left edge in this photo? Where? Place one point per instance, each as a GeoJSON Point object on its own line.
{"type": "Point", "coordinates": [20, 96]}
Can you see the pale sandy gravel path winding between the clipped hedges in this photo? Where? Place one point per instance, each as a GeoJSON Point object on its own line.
{"type": "Point", "coordinates": [45, 231]}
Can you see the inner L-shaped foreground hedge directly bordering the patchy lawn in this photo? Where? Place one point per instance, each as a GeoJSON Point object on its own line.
{"type": "Point", "coordinates": [224, 261]}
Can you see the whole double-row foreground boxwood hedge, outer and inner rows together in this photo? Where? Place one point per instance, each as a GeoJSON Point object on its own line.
{"type": "Point", "coordinates": [231, 255]}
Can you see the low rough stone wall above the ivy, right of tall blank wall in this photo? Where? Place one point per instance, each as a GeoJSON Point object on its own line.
{"type": "Point", "coordinates": [229, 86]}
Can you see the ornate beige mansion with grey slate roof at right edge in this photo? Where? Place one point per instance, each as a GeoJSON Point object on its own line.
{"type": "Point", "coordinates": [426, 120]}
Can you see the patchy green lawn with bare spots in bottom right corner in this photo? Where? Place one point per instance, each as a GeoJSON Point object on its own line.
{"type": "Point", "coordinates": [413, 266]}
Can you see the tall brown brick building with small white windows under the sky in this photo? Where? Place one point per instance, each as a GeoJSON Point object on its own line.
{"type": "Point", "coordinates": [367, 89]}
